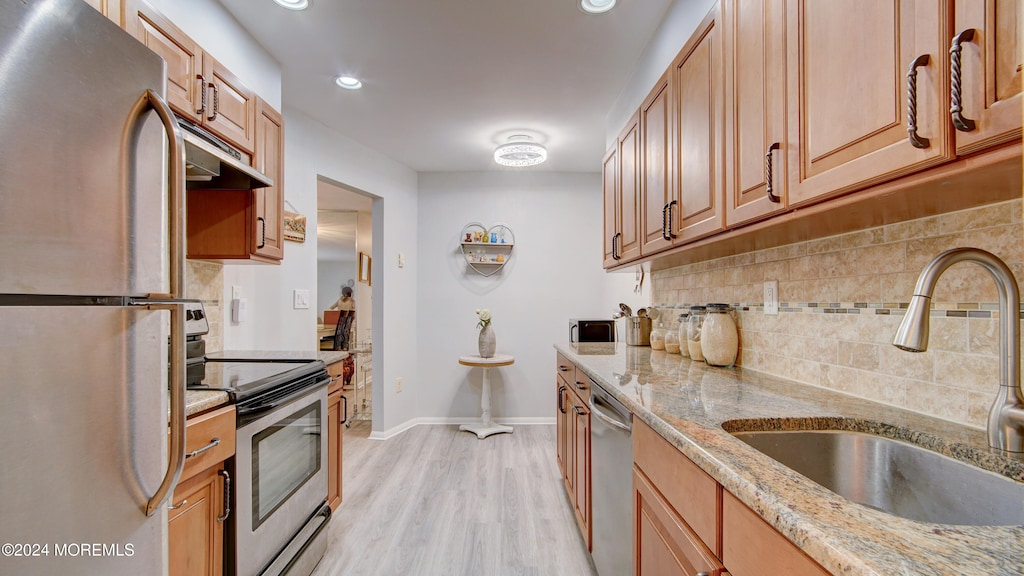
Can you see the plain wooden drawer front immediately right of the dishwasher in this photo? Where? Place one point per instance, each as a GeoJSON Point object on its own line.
{"type": "Point", "coordinates": [695, 496]}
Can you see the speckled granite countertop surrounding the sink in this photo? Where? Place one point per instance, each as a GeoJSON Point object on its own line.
{"type": "Point", "coordinates": [689, 402]}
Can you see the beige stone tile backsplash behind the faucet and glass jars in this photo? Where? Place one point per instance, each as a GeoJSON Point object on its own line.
{"type": "Point", "coordinates": [842, 298]}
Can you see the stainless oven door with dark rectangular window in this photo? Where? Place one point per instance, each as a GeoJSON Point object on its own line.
{"type": "Point", "coordinates": [281, 467]}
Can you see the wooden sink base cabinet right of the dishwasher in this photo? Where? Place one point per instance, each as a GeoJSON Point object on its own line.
{"type": "Point", "coordinates": [686, 523]}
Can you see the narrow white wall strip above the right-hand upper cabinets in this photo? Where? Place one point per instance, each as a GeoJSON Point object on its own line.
{"type": "Point", "coordinates": [680, 22]}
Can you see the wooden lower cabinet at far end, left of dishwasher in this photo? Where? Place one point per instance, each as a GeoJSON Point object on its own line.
{"type": "Point", "coordinates": [573, 424]}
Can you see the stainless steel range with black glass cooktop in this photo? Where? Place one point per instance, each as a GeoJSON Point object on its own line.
{"type": "Point", "coordinates": [281, 461]}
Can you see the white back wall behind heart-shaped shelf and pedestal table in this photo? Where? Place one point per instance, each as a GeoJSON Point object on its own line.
{"type": "Point", "coordinates": [554, 275]}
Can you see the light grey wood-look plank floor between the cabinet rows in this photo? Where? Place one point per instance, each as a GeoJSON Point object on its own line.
{"type": "Point", "coordinates": [436, 502]}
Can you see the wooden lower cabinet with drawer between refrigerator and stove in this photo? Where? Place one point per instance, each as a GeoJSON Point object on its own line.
{"type": "Point", "coordinates": [200, 507]}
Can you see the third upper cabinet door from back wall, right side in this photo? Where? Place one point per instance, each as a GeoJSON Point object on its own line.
{"type": "Point", "coordinates": [657, 193]}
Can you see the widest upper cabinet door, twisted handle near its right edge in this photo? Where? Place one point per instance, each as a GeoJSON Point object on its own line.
{"type": "Point", "coordinates": [847, 93]}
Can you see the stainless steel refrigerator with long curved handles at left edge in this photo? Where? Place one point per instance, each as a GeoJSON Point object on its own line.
{"type": "Point", "coordinates": [92, 270]}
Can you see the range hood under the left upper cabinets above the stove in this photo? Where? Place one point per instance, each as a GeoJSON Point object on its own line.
{"type": "Point", "coordinates": [211, 163]}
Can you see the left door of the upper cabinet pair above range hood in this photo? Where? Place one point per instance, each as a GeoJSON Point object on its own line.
{"type": "Point", "coordinates": [184, 58]}
